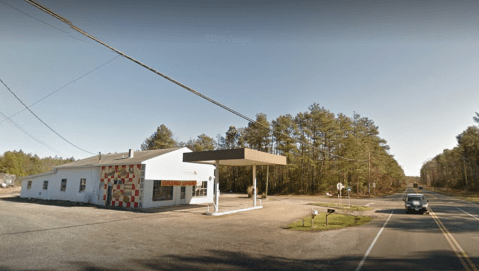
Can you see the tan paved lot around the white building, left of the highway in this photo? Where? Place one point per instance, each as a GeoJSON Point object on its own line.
{"type": "Point", "coordinates": [36, 236]}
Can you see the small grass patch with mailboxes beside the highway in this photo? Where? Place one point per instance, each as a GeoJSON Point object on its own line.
{"type": "Point", "coordinates": [335, 221]}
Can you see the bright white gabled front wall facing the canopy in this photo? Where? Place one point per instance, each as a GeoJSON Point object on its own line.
{"type": "Point", "coordinates": [170, 167]}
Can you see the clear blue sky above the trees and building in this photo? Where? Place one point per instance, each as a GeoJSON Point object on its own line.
{"type": "Point", "coordinates": [410, 66]}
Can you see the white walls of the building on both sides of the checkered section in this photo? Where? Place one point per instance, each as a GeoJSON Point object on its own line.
{"type": "Point", "coordinates": [169, 167]}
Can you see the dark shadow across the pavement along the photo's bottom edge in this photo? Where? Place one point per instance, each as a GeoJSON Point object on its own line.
{"type": "Point", "coordinates": [226, 260]}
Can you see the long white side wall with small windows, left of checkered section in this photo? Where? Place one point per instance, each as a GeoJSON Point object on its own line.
{"type": "Point", "coordinates": [72, 192]}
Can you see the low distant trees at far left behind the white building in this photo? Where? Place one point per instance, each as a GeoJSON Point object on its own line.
{"type": "Point", "coordinates": [24, 164]}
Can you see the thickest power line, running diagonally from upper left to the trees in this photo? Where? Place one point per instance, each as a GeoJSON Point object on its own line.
{"type": "Point", "coordinates": [50, 12]}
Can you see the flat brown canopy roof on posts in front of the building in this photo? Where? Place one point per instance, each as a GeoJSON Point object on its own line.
{"type": "Point", "coordinates": [235, 157]}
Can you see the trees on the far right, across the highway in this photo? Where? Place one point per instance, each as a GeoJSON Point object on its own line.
{"type": "Point", "coordinates": [456, 168]}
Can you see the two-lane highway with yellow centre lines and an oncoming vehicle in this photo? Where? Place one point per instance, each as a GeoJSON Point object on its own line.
{"type": "Point", "coordinates": [446, 239]}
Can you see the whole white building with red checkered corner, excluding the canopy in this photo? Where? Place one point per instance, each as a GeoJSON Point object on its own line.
{"type": "Point", "coordinates": [135, 179]}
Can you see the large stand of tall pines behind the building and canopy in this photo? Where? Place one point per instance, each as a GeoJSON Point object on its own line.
{"type": "Point", "coordinates": [322, 149]}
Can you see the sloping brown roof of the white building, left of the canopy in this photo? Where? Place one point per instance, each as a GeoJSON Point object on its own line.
{"type": "Point", "coordinates": [117, 158]}
